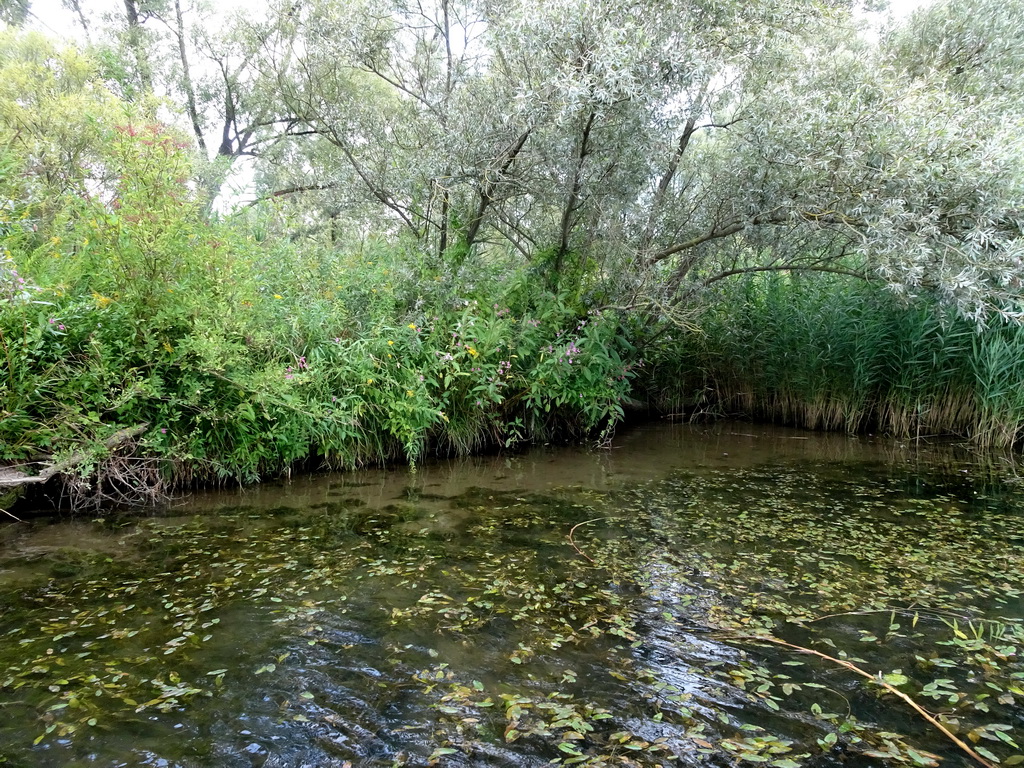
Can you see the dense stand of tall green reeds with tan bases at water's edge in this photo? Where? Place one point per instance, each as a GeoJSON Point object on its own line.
{"type": "Point", "coordinates": [842, 355]}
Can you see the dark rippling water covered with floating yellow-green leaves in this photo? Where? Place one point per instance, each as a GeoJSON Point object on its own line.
{"type": "Point", "coordinates": [599, 609]}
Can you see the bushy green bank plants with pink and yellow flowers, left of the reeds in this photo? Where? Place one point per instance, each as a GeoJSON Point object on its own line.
{"type": "Point", "coordinates": [246, 352]}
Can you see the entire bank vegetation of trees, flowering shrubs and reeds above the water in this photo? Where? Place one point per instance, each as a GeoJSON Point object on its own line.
{"type": "Point", "coordinates": [477, 225]}
